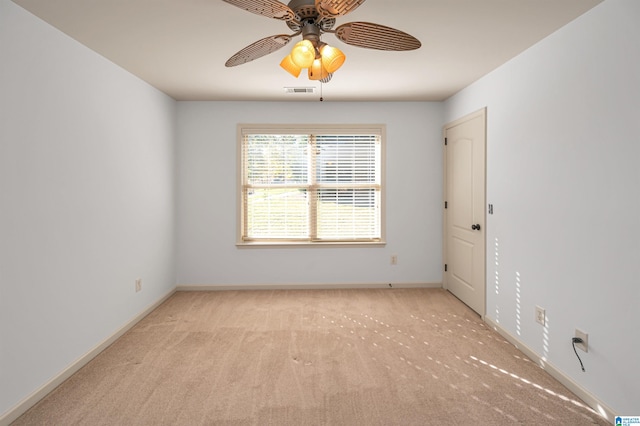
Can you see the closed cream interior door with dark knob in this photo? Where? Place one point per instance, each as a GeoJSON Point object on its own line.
{"type": "Point", "coordinates": [464, 217]}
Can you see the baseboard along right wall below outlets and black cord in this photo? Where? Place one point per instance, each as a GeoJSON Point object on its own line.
{"type": "Point", "coordinates": [598, 406]}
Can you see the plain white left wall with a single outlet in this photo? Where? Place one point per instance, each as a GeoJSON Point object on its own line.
{"type": "Point", "coordinates": [87, 200]}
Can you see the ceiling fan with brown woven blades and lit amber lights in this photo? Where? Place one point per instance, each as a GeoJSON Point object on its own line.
{"type": "Point", "coordinates": [311, 19]}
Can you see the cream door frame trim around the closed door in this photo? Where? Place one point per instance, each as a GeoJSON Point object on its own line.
{"type": "Point", "coordinates": [483, 113]}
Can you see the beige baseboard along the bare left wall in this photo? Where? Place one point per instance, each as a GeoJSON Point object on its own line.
{"type": "Point", "coordinates": [31, 400]}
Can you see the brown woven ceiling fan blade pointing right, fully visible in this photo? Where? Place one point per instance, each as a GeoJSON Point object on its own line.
{"type": "Point", "coordinates": [376, 36]}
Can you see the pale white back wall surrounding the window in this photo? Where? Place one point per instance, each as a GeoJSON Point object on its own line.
{"type": "Point", "coordinates": [207, 214]}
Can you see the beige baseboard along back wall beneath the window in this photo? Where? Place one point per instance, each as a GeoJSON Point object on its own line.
{"type": "Point", "coordinates": [345, 286]}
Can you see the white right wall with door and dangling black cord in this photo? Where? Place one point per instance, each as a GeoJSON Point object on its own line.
{"type": "Point", "coordinates": [563, 175]}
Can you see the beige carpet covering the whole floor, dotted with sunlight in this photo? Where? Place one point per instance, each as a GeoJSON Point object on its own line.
{"type": "Point", "coordinates": [311, 357]}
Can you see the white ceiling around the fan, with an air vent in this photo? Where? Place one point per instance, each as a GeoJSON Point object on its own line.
{"type": "Point", "coordinates": [181, 46]}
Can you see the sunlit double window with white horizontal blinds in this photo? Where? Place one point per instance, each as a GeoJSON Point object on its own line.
{"type": "Point", "coordinates": [311, 185]}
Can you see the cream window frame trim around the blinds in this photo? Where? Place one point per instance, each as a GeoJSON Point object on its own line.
{"type": "Point", "coordinates": [243, 128]}
